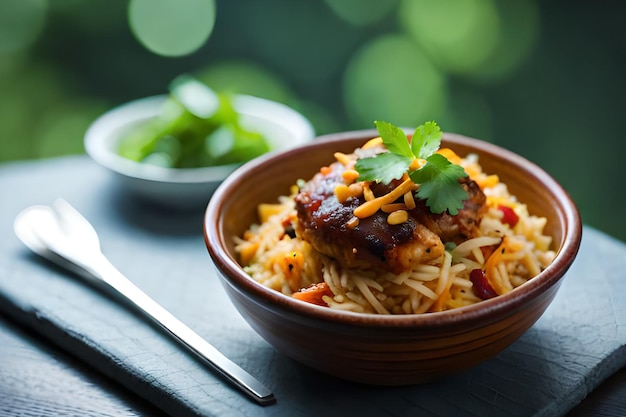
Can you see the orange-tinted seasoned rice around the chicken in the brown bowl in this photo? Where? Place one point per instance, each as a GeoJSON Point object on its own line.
{"type": "Point", "coordinates": [509, 257]}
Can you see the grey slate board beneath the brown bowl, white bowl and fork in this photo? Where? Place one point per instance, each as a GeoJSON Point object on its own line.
{"type": "Point", "coordinates": [576, 345]}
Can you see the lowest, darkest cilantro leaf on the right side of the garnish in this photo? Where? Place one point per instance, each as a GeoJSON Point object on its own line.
{"type": "Point", "coordinates": [439, 185]}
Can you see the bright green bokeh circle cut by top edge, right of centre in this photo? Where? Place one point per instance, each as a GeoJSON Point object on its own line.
{"type": "Point", "coordinates": [459, 35]}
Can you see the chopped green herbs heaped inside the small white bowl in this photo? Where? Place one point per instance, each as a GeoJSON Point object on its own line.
{"type": "Point", "coordinates": [196, 127]}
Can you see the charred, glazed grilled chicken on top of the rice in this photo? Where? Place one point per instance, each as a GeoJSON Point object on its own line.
{"type": "Point", "coordinates": [324, 222]}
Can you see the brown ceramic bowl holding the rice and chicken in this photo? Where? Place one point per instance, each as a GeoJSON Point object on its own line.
{"type": "Point", "coordinates": [377, 349]}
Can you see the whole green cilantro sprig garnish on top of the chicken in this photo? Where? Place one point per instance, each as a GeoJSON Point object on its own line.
{"type": "Point", "coordinates": [438, 178]}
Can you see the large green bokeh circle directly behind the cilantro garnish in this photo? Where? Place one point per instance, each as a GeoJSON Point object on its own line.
{"type": "Point", "coordinates": [391, 79]}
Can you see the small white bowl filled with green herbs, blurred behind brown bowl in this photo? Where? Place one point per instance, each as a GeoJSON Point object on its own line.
{"type": "Point", "coordinates": [174, 150]}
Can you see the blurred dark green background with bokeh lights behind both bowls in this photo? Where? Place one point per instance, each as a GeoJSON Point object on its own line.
{"type": "Point", "coordinates": [545, 79]}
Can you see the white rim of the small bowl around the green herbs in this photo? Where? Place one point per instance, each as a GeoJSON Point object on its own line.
{"type": "Point", "coordinates": [96, 138]}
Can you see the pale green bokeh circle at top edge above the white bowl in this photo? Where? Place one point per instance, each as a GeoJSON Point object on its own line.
{"type": "Point", "coordinates": [172, 27]}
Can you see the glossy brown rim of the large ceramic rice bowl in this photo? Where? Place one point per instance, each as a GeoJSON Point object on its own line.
{"type": "Point", "coordinates": [480, 312]}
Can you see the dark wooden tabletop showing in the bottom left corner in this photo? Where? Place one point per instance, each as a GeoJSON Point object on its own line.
{"type": "Point", "coordinates": [37, 379]}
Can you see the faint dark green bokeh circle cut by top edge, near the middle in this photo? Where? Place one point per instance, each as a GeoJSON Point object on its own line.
{"type": "Point", "coordinates": [362, 12]}
